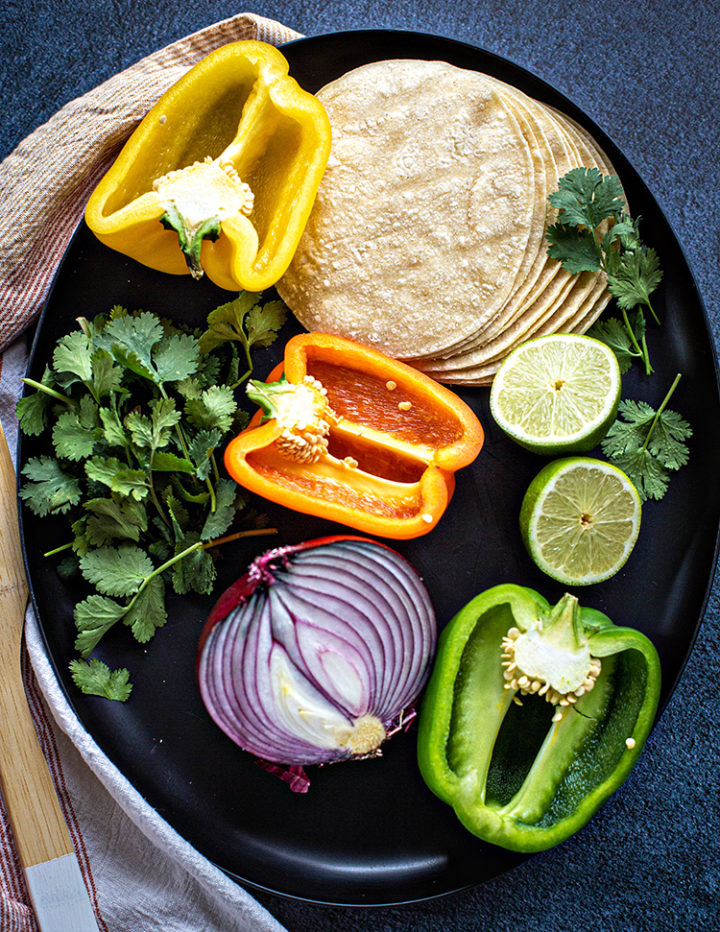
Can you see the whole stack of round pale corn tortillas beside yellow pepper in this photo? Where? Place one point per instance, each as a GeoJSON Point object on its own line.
{"type": "Point", "coordinates": [427, 238]}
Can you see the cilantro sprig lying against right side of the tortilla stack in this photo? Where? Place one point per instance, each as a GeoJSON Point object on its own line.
{"type": "Point", "coordinates": [594, 233]}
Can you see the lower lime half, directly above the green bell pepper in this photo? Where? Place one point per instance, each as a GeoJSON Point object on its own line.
{"type": "Point", "coordinates": [580, 519]}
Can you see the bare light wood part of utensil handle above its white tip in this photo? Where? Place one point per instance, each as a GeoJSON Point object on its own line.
{"type": "Point", "coordinates": [29, 793]}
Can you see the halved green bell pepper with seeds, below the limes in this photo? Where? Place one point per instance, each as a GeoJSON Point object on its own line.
{"type": "Point", "coordinates": [534, 716]}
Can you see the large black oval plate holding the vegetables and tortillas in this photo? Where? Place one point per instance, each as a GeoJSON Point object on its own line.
{"type": "Point", "coordinates": [370, 832]}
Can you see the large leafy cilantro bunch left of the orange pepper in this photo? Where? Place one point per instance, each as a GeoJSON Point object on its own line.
{"type": "Point", "coordinates": [138, 410]}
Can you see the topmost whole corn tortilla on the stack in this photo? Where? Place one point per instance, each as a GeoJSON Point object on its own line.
{"type": "Point", "coordinates": [422, 221]}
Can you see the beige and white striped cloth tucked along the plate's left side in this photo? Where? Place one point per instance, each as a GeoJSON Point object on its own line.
{"type": "Point", "coordinates": [140, 874]}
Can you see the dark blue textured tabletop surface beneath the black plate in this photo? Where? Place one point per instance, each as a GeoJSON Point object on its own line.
{"type": "Point", "coordinates": [649, 77]}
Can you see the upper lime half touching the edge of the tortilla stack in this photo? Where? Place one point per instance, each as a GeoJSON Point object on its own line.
{"type": "Point", "coordinates": [557, 394]}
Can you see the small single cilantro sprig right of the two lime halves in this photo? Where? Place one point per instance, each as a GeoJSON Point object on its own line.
{"type": "Point", "coordinates": [648, 444]}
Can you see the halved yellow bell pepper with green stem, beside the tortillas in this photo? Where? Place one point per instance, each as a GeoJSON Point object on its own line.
{"type": "Point", "coordinates": [221, 174]}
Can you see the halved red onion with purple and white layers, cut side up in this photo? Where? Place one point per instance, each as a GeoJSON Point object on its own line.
{"type": "Point", "coordinates": [318, 652]}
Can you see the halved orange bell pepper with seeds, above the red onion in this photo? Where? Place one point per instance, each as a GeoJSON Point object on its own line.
{"type": "Point", "coordinates": [334, 440]}
